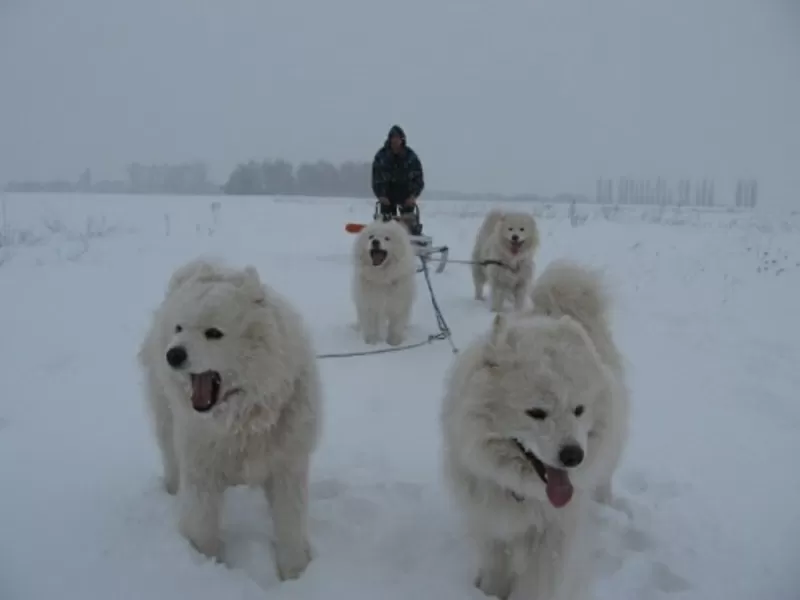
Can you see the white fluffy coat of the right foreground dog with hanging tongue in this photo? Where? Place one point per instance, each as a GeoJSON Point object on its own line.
{"type": "Point", "coordinates": [558, 357]}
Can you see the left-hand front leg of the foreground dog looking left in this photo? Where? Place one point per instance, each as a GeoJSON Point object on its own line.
{"type": "Point", "coordinates": [199, 505]}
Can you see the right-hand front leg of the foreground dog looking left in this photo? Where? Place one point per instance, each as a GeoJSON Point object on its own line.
{"type": "Point", "coordinates": [287, 493]}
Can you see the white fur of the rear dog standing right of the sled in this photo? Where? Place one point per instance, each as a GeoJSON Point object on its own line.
{"type": "Point", "coordinates": [493, 242]}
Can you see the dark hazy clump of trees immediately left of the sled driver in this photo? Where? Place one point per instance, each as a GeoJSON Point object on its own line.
{"type": "Point", "coordinates": [280, 177]}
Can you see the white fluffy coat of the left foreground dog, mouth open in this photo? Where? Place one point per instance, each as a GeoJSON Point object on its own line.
{"type": "Point", "coordinates": [263, 433]}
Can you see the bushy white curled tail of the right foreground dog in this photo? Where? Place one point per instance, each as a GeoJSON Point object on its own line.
{"type": "Point", "coordinates": [568, 288]}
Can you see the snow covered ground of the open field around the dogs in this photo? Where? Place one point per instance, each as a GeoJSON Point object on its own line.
{"type": "Point", "coordinates": [706, 313]}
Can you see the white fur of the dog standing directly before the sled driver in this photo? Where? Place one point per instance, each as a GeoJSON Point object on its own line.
{"type": "Point", "coordinates": [384, 294]}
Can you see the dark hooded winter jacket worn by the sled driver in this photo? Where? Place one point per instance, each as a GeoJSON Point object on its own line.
{"type": "Point", "coordinates": [397, 174]}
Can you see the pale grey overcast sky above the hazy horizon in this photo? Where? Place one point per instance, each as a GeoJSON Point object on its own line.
{"type": "Point", "coordinates": [504, 95]}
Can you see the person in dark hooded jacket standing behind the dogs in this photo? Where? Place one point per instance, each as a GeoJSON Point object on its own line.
{"type": "Point", "coordinates": [397, 177]}
